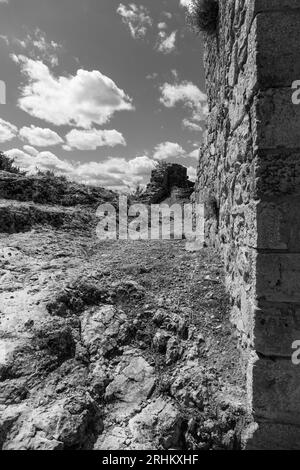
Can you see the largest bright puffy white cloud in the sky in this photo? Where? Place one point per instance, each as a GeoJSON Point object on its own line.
{"type": "Point", "coordinates": [80, 100]}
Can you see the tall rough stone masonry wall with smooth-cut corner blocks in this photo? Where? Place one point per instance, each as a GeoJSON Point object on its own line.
{"type": "Point", "coordinates": [249, 180]}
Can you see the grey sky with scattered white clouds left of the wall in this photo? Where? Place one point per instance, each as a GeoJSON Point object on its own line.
{"type": "Point", "coordinates": [100, 90]}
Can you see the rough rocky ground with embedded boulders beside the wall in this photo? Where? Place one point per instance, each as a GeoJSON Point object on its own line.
{"type": "Point", "coordinates": [114, 345]}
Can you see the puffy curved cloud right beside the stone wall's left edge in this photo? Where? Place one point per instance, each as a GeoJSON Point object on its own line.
{"type": "Point", "coordinates": [189, 96]}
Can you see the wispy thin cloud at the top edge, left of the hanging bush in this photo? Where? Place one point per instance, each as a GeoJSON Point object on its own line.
{"type": "Point", "coordinates": [137, 19]}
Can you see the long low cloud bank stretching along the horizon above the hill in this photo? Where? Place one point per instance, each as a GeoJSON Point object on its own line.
{"type": "Point", "coordinates": [116, 173]}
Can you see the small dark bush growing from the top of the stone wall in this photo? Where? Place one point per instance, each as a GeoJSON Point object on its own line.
{"type": "Point", "coordinates": [203, 16]}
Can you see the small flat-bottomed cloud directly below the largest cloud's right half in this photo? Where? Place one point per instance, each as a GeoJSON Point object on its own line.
{"type": "Point", "coordinates": [92, 139]}
